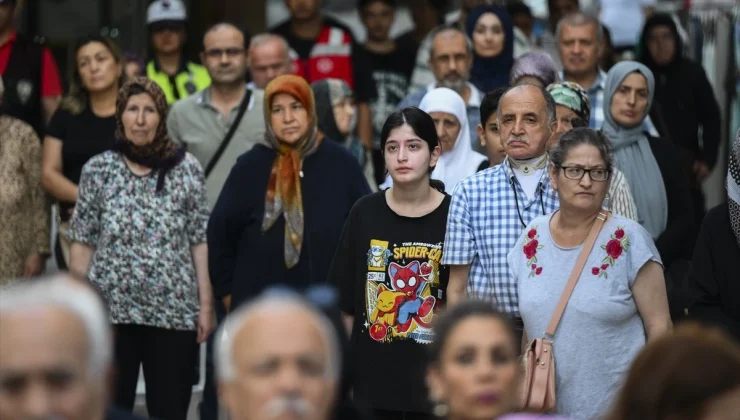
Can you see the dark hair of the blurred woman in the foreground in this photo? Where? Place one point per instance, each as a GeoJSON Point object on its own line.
{"type": "Point", "coordinates": [464, 310]}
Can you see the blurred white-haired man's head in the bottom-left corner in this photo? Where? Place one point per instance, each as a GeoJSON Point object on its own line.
{"type": "Point", "coordinates": [55, 351]}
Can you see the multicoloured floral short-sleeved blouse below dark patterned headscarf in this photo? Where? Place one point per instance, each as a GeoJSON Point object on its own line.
{"type": "Point", "coordinates": [142, 261]}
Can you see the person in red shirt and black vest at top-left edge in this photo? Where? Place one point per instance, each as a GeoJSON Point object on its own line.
{"type": "Point", "coordinates": [33, 88]}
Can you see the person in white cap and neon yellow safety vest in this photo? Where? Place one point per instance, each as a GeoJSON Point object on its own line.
{"type": "Point", "coordinates": [178, 77]}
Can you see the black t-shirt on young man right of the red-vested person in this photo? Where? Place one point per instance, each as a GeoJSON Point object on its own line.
{"type": "Point", "coordinates": [391, 73]}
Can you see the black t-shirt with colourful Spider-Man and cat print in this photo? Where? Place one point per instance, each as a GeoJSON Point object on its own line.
{"type": "Point", "coordinates": [388, 272]}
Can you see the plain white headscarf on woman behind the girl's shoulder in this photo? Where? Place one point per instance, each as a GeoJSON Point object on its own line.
{"type": "Point", "coordinates": [462, 161]}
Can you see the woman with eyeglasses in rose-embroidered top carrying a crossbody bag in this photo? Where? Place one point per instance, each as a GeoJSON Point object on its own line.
{"type": "Point", "coordinates": [619, 302]}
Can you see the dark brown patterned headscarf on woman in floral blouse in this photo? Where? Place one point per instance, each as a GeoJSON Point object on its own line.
{"type": "Point", "coordinates": [162, 153]}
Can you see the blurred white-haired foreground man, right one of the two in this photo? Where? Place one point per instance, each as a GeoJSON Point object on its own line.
{"type": "Point", "coordinates": [278, 358]}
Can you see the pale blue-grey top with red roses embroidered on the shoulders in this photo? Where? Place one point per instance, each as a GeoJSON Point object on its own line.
{"type": "Point", "coordinates": [601, 330]}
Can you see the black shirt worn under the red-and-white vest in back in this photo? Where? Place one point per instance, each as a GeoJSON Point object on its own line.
{"type": "Point", "coordinates": [364, 89]}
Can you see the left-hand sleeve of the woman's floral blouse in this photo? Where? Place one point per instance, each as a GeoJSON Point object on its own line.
{"type": "Point", "coordinates": [85, 223]}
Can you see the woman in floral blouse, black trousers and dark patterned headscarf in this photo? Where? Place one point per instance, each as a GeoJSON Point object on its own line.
{"type": "Point", "coordinates": [139, 232]}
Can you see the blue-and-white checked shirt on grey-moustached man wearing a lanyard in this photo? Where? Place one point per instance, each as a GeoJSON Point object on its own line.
{"type": "Point", "coordinates": [483, 224]}
